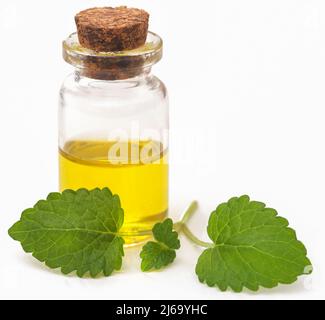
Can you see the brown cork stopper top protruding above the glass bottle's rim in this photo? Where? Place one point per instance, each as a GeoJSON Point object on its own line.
{"type": "Point", "coordinates": [112, 29]}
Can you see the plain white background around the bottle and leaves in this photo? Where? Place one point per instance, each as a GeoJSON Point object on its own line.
{"type": "Point", "coordinates": [246, 82]}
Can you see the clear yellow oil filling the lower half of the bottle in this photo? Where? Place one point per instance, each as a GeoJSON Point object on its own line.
{"type": "Point", "coordinates": [136, 171]}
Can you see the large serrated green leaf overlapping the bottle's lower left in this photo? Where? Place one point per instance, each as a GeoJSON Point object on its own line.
{"type": "Point", "coordinates": [75, 231]}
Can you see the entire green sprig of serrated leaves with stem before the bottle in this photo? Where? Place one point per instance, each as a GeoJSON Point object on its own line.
{"type": "Point", "coordinates": [251, 246]}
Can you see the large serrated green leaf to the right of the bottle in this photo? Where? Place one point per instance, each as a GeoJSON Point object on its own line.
{"type": "Point", "coordinates": [252, 247]}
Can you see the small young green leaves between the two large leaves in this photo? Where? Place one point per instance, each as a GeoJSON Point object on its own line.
{"type": "Point", "coordinates": [156, 255]}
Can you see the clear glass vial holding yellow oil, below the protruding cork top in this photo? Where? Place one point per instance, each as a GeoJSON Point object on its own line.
{"type": "Point", "coordinates": [113, 130]}
